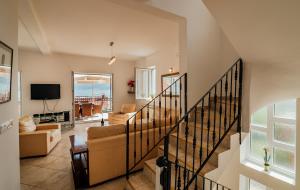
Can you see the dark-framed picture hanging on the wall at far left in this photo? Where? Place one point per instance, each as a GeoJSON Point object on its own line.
{"type": "Point", "coordinates": [6, 61]}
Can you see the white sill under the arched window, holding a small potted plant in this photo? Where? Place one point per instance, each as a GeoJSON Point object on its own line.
{"type": "Point", "coordinates": [274, 174]}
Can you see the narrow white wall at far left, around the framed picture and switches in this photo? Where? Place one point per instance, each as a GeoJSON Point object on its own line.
{"type": "Point", "coordinates": [9, 141]}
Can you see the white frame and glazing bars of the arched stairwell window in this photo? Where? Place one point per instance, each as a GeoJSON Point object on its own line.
{"type": "Point", "coordinates": [272, 142]}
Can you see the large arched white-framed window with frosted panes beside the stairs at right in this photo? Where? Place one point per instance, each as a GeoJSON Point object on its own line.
{"type": "Point", "coordinates": [274, 127]}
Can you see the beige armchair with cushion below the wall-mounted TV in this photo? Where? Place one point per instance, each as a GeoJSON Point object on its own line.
{"type": "Point", "coordinates": [39, 140]}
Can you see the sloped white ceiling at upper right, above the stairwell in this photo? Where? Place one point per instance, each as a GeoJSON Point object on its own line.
{"type": "Point", "coordinates": [264, 32]}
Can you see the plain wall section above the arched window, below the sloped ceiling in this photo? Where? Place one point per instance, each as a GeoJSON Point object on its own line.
{"type": "Point", "coordinates": [270, 83]}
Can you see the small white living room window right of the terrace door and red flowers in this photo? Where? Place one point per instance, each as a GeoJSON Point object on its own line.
{"type": "Point", "coordinates": [145, 82]}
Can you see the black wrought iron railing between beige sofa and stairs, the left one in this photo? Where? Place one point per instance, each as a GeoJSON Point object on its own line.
{"type": "Point", "coordinates": [146, 129]}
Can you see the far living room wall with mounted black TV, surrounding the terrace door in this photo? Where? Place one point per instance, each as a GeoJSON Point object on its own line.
{"type": "Point", "coordinates": [57, 68]}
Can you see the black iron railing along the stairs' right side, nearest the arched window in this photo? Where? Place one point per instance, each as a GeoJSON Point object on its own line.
{"type": "Point", "coordinates": [202, 129]}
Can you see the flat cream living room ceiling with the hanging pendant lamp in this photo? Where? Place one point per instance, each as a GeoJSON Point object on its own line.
{"type": "Point", "coordinates": [87, 27]}
